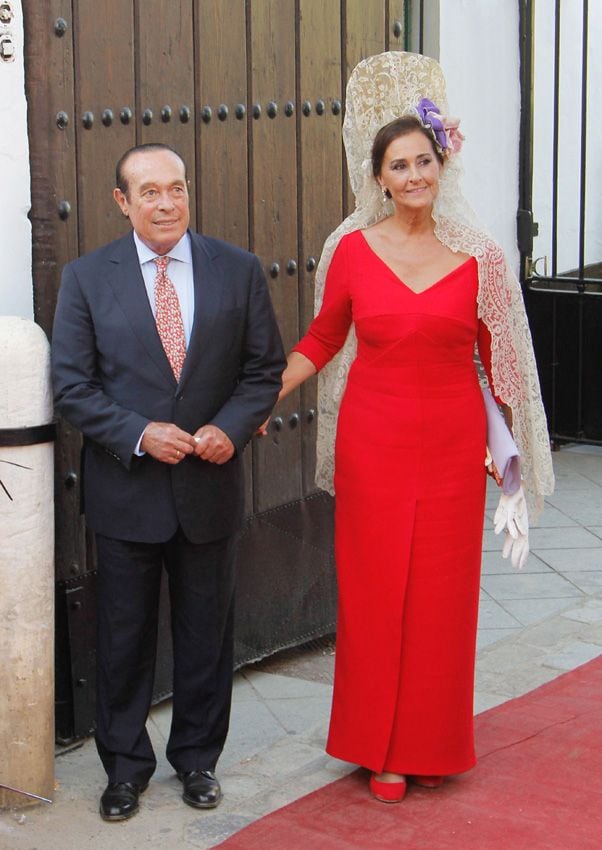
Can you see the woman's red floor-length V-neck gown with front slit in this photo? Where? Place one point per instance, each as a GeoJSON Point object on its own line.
{"type": "Point", "coordinates": [410, 492]}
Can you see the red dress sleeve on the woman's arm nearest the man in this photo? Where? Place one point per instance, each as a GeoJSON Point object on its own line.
{"type": "Point", "coordinates": [328, 331]}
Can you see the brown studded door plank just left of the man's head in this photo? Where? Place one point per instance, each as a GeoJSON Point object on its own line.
{"type": "Point", "coordinates": [104, 87]}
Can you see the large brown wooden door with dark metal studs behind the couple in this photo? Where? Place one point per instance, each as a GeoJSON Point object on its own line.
{"type": "Point", "coordinates": [252, 95]}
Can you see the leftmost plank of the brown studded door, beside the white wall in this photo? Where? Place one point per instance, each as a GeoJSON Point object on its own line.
{"type": "Point", "coordinates": [52, 132]}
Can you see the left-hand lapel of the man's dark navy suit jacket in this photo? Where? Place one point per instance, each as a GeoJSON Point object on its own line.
{"type": "Point", "coordinates": [127, 283]}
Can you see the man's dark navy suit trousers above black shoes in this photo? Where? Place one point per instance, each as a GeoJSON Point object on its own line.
{"type": "Point", "coordinates": [201, 589]}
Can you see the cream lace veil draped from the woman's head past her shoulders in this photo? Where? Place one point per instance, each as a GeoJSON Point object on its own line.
{"type": "Point", "coordinates": [380, 89]}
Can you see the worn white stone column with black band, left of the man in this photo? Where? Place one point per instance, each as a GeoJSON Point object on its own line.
{"type": "Point", "coordinates": [26, 568]}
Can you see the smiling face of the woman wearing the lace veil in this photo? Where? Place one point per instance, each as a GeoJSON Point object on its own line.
{"type": "Point", "coordinates": [411, 171]}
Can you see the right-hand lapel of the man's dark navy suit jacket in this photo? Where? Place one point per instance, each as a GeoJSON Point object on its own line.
{"type": "Point", "coordinates": [208, 292]}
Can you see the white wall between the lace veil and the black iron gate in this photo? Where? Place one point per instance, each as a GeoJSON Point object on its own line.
{"type": "Point", "coordinates": [479, 54]}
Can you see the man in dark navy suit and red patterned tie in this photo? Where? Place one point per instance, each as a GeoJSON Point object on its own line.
{"type": "Point", "coordinates": [167, 357]}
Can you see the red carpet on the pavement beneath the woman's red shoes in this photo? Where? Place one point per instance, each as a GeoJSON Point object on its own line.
{"type": "Point", "coordinates": [537, 786]}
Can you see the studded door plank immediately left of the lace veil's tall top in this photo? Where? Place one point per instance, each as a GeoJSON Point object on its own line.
{"type": "Point", "coordinates": [320, 175]}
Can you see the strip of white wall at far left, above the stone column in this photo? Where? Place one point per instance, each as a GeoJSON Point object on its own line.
{"type": "Point", "coordinates": [16, 288]}
